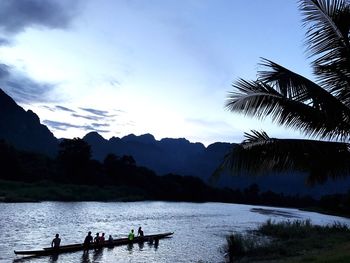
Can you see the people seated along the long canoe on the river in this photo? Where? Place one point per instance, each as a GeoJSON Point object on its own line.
{"type": "Point", "coordinates": [97, 240]}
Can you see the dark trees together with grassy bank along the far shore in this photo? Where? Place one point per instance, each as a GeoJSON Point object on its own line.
{"type": "Point", "coordinates": [74, 176]}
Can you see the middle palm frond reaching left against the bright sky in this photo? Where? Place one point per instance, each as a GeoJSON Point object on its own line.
{"type": "Point", "coordinates": [259, 99]}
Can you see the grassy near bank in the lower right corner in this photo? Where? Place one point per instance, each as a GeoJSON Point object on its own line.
{"type": "Point", "coordinates": [291, 241]}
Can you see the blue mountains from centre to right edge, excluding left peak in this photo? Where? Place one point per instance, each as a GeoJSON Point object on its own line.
{"type": "Point", "coordinates": [183, 157]}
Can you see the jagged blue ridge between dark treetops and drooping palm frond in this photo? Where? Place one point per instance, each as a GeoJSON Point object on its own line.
{"type": "Point", "coordinates": [165, 156]}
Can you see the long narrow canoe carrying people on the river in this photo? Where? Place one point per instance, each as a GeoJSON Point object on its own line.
{"type": "Point", "coordinates": [79, 247]}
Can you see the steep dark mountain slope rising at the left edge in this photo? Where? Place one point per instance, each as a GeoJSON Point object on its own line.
{"type": "Point", "coordinates": [23, 129]}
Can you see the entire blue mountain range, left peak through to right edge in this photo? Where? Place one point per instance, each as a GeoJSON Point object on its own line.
{"type": "Point", "coordinates": [24, 131]}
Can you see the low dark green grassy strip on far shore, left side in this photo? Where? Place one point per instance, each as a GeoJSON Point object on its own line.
{"type": "Point", "coordinates": [48, 191]}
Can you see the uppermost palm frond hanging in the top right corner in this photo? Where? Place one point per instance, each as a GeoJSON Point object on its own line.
{"type": "Point", "coordinates": [327, 40]}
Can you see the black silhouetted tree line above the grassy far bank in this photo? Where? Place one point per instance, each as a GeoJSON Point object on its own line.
{"type": "Point", "coordinates": [74, 165]}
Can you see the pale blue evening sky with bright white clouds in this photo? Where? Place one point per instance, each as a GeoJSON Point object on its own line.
{"type": "Point", "coordinates": [163, 67]}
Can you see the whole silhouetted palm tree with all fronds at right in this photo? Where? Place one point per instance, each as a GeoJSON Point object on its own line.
{"type": "Point", "coordinates": [320, 109]}
